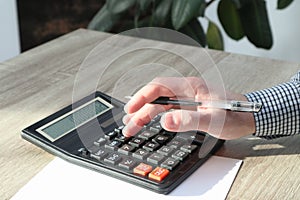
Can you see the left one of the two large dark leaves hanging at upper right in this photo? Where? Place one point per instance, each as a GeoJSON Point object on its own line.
{"type": "Point", "coordinates": [230, 19]}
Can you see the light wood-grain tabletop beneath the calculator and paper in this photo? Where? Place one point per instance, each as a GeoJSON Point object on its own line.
{"type": "Point", "coordinates": [41, 81]}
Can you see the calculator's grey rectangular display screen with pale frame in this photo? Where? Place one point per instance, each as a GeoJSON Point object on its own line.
{"type": "Point", "coordinates": [71, 120]}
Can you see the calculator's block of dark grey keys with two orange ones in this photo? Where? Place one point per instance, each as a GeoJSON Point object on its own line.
{"type": "Point", "coordinates": [153, 153]}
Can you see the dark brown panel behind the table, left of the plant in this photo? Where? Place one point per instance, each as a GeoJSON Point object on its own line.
{"type": "Point", "coordinates": [41, 21]}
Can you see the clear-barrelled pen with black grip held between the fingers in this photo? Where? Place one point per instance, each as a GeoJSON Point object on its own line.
{"type": "Point", "coordinates": [233, 105]}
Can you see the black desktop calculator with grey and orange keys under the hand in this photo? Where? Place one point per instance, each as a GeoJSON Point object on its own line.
{"type": "Point", "coordinates": [89, 133]}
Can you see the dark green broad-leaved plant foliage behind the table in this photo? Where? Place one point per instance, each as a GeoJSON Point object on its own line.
{"type": "Point", "coordinates": [239, 19]}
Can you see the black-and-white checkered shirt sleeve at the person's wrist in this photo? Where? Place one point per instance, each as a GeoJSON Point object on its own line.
{"type": "Point", "coordinates": [280, 113]}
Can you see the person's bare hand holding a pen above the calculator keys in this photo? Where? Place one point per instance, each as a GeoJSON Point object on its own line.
{"type": "Point", "coordinates": [219, 123]}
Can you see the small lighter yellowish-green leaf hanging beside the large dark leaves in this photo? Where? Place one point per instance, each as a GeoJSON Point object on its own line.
{"type": "Point", "coordinates": [214, 37]}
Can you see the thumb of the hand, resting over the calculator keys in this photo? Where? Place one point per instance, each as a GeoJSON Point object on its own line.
{"type": "Point", "coordinates": [184, 120]}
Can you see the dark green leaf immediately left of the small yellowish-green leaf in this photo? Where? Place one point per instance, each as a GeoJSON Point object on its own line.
{"type": "Point", "coordinates": [194, 30]}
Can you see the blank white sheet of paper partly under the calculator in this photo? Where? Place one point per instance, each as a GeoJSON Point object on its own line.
{"type": "Point", "coordinates": [63, 180]}
